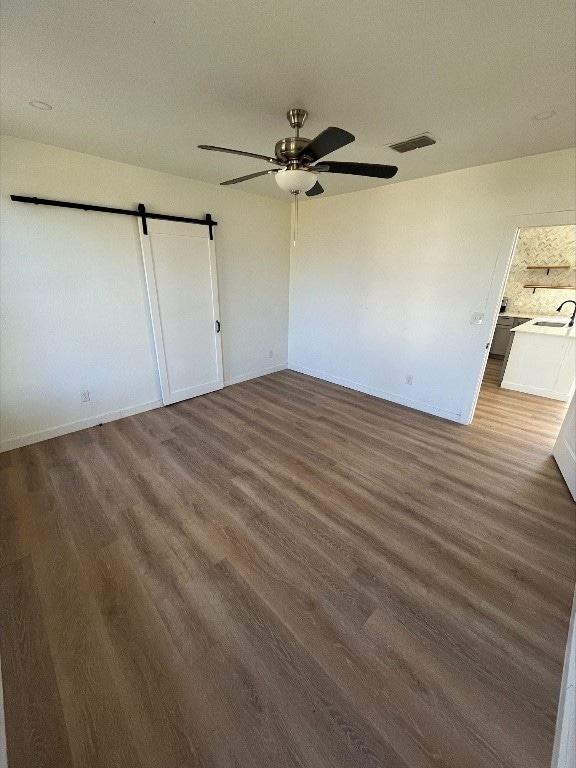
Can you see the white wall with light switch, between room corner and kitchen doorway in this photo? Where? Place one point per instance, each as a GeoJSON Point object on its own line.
{"type": "Point", "coordinates": [384, 282]}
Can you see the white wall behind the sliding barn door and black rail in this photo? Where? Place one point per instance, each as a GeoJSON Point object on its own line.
{"type": "Point", "coordinates": [74, 308]}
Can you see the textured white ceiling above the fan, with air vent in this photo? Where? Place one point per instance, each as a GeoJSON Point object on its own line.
{"type": "Point", "coordinates": [145, 81]}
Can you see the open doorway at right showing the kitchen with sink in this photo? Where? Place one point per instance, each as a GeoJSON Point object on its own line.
{"type": "Point", "coordinates": [529, 370]}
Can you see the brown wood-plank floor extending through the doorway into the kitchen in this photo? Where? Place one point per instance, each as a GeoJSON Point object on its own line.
{"type": "Point", "coordinates": [288, 574]}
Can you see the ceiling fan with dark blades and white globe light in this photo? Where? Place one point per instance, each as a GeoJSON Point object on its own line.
{"type": "Point", "coordinates": [296, 157]}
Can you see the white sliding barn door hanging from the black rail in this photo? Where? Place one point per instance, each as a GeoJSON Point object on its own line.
{"type": "Point", "coordinates": [180, 267]}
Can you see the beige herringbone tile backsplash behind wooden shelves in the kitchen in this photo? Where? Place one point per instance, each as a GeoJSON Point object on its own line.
{"type": "Point", "coordinates": [539, 246]}
